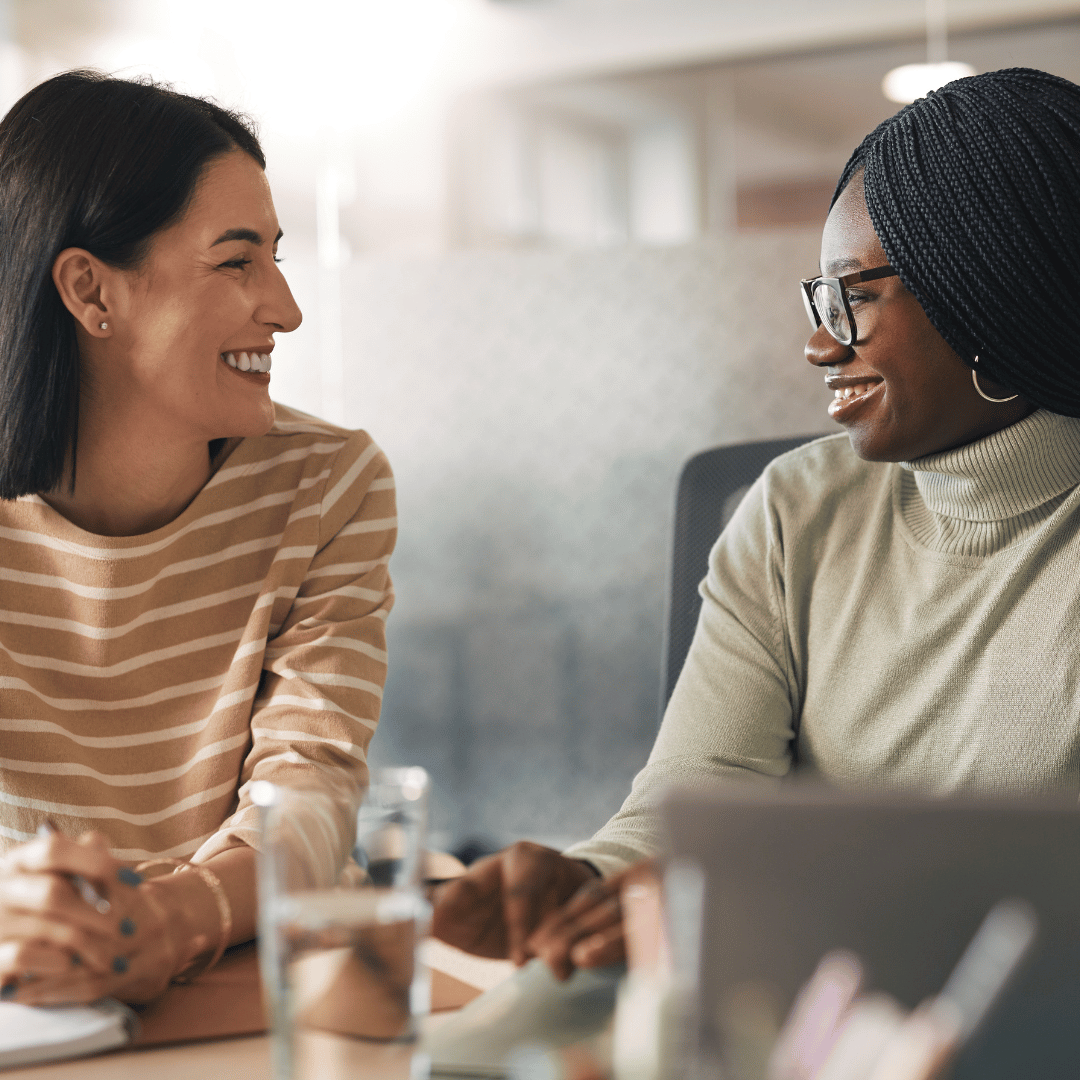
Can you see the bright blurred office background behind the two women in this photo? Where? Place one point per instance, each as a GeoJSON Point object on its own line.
{"type": "Point", "coordinates": [546, 250]}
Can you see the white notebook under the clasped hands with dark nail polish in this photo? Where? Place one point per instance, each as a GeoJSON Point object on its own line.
{"type": "Point", "coordinates": [31, 1034]}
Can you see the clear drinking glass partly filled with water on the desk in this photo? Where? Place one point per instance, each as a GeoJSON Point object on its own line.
{"type": "Point", "coordinates": [343, 958]}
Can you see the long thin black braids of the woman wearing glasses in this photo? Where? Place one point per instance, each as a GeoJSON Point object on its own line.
{"type": "Point", "coordinates": [975, 193]}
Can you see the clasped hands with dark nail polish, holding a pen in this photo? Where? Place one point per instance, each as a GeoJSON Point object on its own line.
{"type": "Point", "coordinates": [57, 948]}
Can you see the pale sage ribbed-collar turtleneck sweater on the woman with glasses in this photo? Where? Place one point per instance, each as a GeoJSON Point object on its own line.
{"type": "Point", "coordinates": [881, 626]}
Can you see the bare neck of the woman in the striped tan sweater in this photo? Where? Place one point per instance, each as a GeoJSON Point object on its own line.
{"type": "Point", "coordinates": [130, 478]}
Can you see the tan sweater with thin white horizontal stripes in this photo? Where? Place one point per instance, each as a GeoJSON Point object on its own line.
{"type": "Point", "coordinates": [146, 681]}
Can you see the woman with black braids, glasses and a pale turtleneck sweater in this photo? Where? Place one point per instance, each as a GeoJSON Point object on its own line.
{"type": "Point", "coordinates": [897, 610]}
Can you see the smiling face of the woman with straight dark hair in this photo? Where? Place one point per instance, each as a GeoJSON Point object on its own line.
{"type": "Point", "coordinates": [209, 291]}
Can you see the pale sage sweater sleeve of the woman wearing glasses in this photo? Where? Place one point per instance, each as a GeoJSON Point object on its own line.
{"type": "Point", "coordinates": [732, 714]}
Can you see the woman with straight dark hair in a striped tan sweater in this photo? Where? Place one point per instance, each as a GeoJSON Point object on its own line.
{"type": "Point", "coordinates": [195, 584]}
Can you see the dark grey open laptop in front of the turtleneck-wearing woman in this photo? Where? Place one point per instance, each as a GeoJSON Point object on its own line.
{"type": "Point", "coordinates": [902, 882]}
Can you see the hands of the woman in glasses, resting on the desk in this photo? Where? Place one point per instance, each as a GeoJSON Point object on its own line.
{"type": "Point", "coordinates": [530, 901]}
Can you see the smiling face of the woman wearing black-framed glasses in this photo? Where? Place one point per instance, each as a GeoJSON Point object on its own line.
{"type": "Point", "coordinates": [911, 394]}
